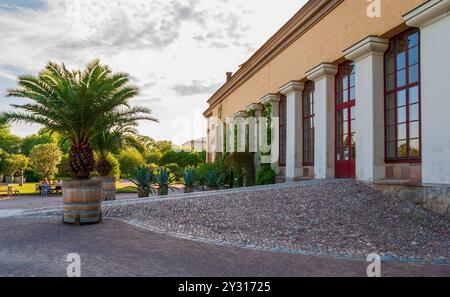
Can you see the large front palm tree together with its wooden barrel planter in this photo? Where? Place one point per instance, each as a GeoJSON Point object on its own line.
{"type": "Point", "coordinates": [78, 105]}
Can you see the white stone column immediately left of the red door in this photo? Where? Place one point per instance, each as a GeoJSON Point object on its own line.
{"type": "Point", "coordinates": [324, 99]}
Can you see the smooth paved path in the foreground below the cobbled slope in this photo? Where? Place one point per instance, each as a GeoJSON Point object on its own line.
{"type": "Point", "coordinates": [39, 247]}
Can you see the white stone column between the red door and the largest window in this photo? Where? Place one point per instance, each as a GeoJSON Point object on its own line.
{"type": "Point", "coordinates": [368, 56]}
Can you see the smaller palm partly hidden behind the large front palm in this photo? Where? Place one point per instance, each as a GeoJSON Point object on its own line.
{"type": "Point", "coordinates": [112, 141]}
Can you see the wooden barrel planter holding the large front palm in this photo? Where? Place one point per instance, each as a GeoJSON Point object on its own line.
{"type": "Point", "coordinates": [82, 201]}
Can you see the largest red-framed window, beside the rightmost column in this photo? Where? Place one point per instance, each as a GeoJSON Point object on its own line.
{"type": "Point", "coordinates": [402, 98]}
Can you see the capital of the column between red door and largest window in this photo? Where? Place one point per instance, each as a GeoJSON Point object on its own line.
{"type": "Point", "coordinates": [368, 46]}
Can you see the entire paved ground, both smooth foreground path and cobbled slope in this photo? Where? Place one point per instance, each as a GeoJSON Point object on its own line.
{"type": "Point", "coordinates": [288, 230]}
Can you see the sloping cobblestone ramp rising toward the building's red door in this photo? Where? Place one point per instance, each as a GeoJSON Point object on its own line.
{"type": "Point", "coordinates": [343, 219]}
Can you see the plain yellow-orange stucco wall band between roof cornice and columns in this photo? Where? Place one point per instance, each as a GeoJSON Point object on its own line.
{"type": "Point", "coordinates": [347, 24]}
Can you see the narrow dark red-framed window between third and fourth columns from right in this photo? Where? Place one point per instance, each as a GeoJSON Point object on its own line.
{"type": "Point", "coordinates": [308, 124]}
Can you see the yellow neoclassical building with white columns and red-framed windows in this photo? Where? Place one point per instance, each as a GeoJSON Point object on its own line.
{"type": "Point", "coordinates": [360, 91]}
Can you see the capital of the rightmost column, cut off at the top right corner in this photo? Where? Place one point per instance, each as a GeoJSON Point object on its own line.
{"type": "Point", "coordinates": [427, 13]}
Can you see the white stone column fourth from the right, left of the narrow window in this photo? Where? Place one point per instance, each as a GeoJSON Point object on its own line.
{"type": "Point", "coordinates": [294, 132]}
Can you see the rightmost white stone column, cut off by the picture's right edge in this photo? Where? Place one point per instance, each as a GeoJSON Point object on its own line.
{"type": "Point", "coordinates": [433, 19]}
